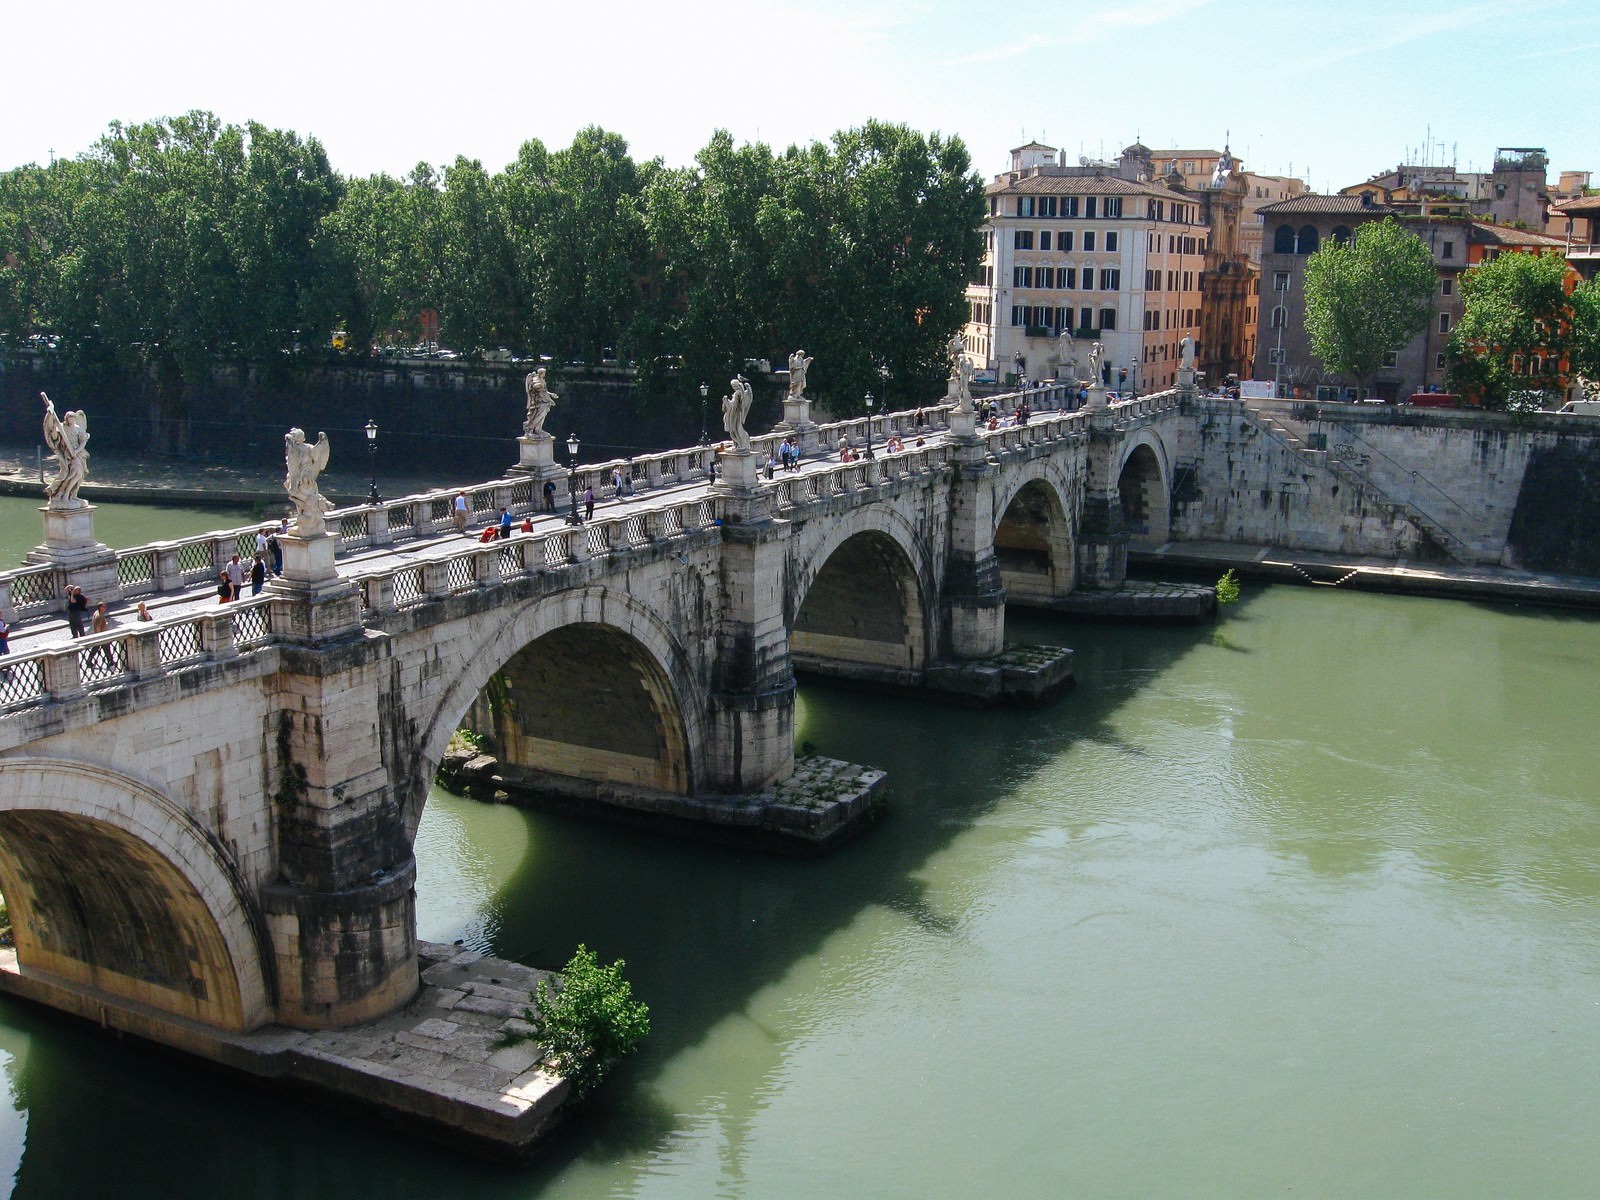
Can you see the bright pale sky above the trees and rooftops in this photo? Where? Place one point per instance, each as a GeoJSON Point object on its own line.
{"type": "Point", "coordinates": [1329, 90]}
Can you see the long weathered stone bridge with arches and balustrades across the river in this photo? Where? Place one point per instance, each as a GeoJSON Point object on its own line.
{"type": "Point", "coordinates": [207, 820]}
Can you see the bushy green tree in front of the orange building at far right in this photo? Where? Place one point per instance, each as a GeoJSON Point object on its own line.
{"type": "Point", "coordinates": [1516, 335]}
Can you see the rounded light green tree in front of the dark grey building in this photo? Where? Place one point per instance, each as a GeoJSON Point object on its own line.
{"type": "Point", "coordinates": [1369, 298]}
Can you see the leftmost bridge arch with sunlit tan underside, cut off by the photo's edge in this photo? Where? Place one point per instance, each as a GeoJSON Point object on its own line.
{"type": "Point", "coordinates": [114, 887]}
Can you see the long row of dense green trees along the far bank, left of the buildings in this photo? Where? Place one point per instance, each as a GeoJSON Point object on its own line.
{"type": "Point", "coordinates": [174, 246]}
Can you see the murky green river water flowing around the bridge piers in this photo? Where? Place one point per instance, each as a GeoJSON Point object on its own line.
{"type": "Point", "coordinates": [1305, 903]}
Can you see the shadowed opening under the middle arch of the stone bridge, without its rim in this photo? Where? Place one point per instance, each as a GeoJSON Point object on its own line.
{"type": "Point", "coordinates": [862, 610]}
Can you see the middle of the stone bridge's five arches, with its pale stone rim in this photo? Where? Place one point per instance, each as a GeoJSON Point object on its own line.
{"type": "Point", "coordinates": [858, 602]}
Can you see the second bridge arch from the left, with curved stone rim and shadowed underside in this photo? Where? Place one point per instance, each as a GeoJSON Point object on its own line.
{"type": "Point", "coordinates": [598, 671]}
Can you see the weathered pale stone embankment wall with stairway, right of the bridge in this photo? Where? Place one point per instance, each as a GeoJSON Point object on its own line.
{"type": "Point", "coordinates": [1409, 486]}
